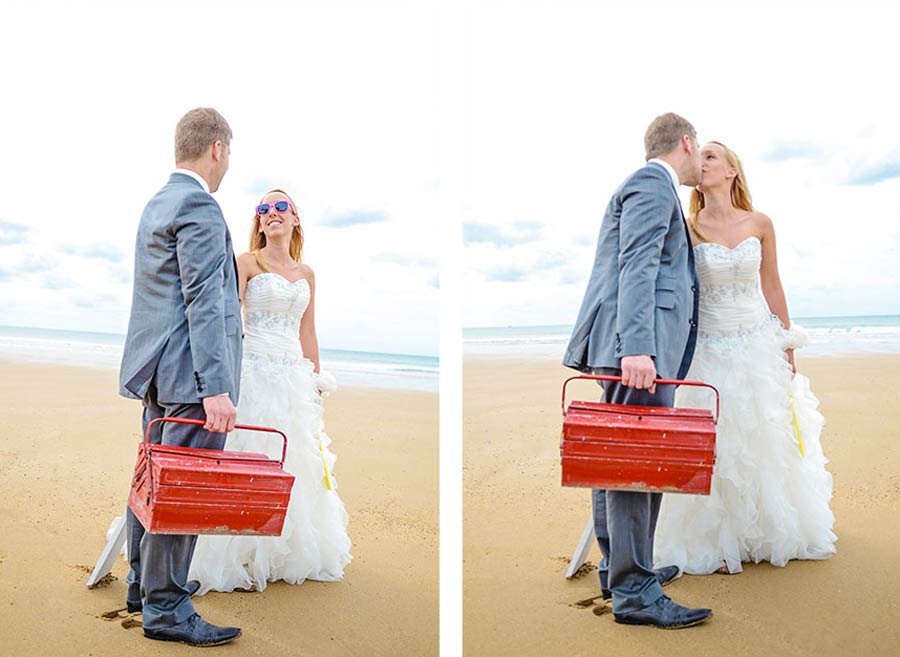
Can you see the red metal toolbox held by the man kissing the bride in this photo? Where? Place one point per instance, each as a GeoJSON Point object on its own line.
{"type": "Point", "coordinates": [639, 448]}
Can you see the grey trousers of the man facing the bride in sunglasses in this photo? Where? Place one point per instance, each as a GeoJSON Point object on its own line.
{"type": "Point", "coordinates": [160, 562]}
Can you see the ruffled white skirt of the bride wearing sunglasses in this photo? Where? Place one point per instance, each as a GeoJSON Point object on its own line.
{"type": "Point", "coordinates": [279, 391]}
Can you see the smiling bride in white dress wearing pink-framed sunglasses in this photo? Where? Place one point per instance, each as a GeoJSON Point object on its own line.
{"type": "Point", "coordinates": [281, 387]}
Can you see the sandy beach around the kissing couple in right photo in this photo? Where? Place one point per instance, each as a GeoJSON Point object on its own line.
{"type": "Point", "coordinates": [521, 527]}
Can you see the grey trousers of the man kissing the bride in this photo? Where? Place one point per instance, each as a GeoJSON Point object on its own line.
{"type": "Point", "coordinates": [625, 521]}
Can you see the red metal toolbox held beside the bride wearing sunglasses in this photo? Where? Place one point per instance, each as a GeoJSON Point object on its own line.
{"type": "Point", "coordinates": [188, 490]}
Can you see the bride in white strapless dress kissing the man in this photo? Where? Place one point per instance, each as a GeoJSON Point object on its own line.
{"type": "Point", "coordinates": [770, 489]}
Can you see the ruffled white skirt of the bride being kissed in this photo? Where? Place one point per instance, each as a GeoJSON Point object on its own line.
{"type": "Point", "coordinates": [768, 499]}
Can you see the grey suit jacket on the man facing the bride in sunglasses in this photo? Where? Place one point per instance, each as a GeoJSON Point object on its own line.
{"type": "Point", "coordinates": [184, 334]}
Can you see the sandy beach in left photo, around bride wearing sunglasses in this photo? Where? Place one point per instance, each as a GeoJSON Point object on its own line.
{"type": "Point", "coordinates": [68, 447]}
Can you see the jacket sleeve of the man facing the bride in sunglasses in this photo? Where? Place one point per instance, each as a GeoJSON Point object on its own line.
{"type": "Point", "coordinates": [200, 232]}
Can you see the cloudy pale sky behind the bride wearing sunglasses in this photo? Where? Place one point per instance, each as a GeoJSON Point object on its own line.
{"type": "Point", "coordinates": [334, 106]}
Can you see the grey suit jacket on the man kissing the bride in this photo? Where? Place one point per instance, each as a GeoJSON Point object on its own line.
{"type": "Point", "coordinates": [642, 295]}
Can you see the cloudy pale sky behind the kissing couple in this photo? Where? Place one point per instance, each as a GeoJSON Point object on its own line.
{"type": "Point", "coordinates": [560, 100]}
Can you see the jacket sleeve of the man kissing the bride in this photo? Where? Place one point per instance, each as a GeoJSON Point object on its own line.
{"type": "Point", "coordinates": [647, 208]}
